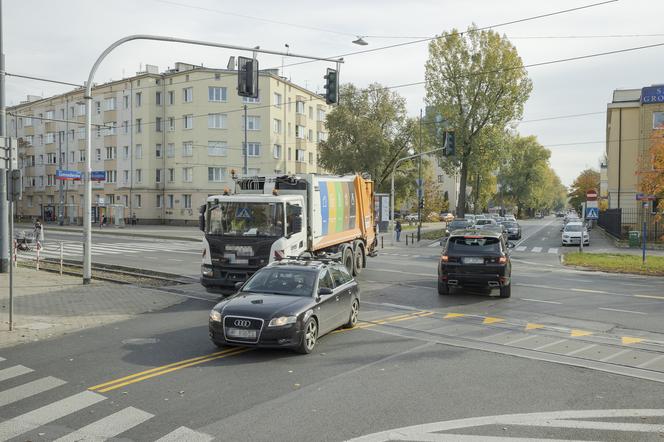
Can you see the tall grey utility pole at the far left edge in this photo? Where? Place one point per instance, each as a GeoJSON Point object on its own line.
{"type": "Point", "coordinates": [5, 240]}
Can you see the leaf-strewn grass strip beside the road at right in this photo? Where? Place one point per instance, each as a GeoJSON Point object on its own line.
{"type": "Point", "coordinates": [616, 263]}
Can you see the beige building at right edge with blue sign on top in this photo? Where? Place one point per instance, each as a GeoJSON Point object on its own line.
{"type": "Point", "coordinates": [632, 118]}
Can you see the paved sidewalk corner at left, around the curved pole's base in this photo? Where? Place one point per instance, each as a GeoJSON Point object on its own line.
{"type": "Point", "coordinates": [47, 305]}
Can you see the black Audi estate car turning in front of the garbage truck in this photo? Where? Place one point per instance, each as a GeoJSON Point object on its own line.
{"type": "Point", "coordinates": [288, 304]}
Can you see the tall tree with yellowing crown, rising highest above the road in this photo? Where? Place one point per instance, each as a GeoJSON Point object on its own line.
{"type": "Point", "coordinates": [477, 81]}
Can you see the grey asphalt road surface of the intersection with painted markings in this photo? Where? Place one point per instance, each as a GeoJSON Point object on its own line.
{"type": "Point", "coordinates": [566, 341]}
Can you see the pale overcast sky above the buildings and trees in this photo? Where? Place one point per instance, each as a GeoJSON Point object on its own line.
{"type": "Point", "coordinates": [61, 41]}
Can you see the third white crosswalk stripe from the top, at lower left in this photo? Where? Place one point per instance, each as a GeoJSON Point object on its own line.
{"type": "Point", "coordinates": [46, 414]}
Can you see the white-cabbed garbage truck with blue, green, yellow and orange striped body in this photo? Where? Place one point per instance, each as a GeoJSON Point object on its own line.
{"type": "Point", "coordinates": [271, 218]}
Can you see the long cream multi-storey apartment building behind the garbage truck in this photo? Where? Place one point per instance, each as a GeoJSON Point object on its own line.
{"type": "Point", "coordinates": [164, 141]}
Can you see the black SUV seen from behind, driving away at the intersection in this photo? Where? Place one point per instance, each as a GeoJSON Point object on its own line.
{"type": "Point", "coordinates": [475, 258]}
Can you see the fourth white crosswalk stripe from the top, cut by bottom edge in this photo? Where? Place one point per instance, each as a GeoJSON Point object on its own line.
{"type": "Point", "coordinates": [110, 426]}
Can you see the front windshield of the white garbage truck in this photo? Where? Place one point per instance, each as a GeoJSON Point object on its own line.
{"type": "Point", "coordinates": [236, 218]}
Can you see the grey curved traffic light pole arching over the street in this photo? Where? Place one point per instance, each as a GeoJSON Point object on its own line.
{"type": "Point", "coordinates": [87, 203]}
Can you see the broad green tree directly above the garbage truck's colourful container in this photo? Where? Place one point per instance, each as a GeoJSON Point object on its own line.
{"type": "Point", "coordinates": [368, 132]}
